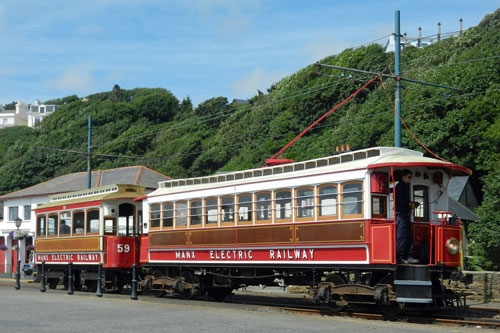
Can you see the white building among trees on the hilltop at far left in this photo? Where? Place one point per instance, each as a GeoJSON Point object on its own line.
{"type": "Point", "coordinates": [25, 114]}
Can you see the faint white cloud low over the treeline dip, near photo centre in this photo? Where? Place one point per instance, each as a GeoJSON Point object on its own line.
{"type": "Point", "coordinates": [257, 79]}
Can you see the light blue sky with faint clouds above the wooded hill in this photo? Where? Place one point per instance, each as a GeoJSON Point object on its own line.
{"type": "Point", "coordinates": [196, 48]}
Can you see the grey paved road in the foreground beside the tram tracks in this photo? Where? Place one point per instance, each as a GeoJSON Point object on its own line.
{"type": "Point", "coordinates": [29, 310]}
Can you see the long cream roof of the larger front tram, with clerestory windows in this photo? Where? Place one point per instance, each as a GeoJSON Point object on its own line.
{"type": "Point", "coordinates": [370, 158]}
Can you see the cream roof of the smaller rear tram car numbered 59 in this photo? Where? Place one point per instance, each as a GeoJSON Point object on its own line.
{"type": "Point", "coordinates": [102, 193]}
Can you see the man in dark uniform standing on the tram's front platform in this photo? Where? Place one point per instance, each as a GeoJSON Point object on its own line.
{"type": "Point", "coordinates": [404, 234]}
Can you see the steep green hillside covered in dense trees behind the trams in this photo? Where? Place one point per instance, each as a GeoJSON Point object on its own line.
{"type": "Point", "coordinates": [181, 141]}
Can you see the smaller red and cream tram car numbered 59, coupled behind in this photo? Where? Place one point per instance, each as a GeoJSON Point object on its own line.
{"type": "Point", "coordinates": [88, 228]}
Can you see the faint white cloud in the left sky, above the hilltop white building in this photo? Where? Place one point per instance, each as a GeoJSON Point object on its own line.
{"type": "Point", "coordinates": [77, 79]}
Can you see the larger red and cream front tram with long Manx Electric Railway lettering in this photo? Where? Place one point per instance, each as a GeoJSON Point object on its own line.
{"type": "Point", "coordinates": [326, 223]}
